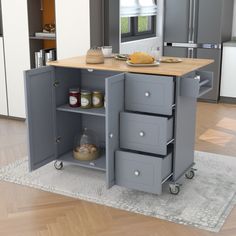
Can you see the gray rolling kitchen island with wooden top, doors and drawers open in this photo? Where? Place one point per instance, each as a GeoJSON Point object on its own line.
{"type": "Point", "coordinates": [142, 148]}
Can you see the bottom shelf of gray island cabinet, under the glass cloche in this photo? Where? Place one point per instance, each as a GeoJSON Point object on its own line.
{"type": "Point", "coordinates": [99, 164]}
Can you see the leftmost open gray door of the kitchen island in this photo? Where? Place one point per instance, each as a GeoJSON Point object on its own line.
{"type": "Point", "coordinates": [40, 105]}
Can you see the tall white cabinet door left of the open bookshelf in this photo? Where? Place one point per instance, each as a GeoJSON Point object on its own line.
{"type": "Point", "coordinates": [17, 56]}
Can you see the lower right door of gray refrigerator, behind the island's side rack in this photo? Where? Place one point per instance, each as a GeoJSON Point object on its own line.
{"type": "Point", "coordinates": [215, 68]}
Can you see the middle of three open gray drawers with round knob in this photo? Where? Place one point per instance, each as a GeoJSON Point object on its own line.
{"type": "Point", "coordinates": [145, 133]}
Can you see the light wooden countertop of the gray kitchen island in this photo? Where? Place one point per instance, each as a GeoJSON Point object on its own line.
{"type": "Point", "coordinates": [173, 69]}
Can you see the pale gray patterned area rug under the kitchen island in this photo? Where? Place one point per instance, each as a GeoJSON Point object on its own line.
{"type": "Point", "coordinates": [203, 202]}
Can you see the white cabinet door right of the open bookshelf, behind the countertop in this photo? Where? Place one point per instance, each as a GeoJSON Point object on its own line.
{"type": "Point", "coordinates": [72, 27]}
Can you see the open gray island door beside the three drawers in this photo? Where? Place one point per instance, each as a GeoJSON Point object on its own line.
{"type": "Point", "coordinates": [114, 105]}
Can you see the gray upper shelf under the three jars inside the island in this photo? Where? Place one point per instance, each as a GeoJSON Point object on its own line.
{"type": "Point", "coordinates": [91, 111]}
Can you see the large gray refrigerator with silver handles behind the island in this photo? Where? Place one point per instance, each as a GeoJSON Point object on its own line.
{"type": "Point", "coordinates": [197, 29]}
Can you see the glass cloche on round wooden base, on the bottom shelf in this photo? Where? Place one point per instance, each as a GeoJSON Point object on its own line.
{"type": "Point", "coordinates": [86, 146]}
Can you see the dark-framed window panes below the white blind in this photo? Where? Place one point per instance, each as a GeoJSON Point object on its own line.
{"type": "Point", "coordinates": [140, 27]}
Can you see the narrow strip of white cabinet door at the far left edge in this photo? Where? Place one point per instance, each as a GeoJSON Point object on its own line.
{"type": "Point", "coordinates": [3, 94]}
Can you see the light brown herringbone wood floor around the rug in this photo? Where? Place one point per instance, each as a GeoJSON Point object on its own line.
{"type": "Point", "coordinates": [28, 212]}
